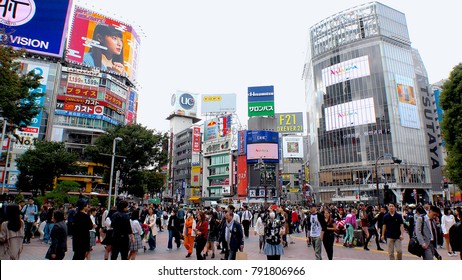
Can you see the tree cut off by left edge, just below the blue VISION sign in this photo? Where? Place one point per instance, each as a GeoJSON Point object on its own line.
{"type": "Point", "coordinates": [17, 100]}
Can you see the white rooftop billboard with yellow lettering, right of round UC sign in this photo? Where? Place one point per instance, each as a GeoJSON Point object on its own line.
{"type": "Point", "coordinates": [218, 103]}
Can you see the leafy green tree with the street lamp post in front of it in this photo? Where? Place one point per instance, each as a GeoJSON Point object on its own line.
{"type": "Point", "coordinates": [140, 149]}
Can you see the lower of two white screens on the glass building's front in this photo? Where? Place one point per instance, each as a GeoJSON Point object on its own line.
{"type": "Point", "coordinates": [349, 114]}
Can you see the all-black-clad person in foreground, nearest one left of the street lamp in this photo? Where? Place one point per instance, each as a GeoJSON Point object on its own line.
{"type": "Point", "coordinates": [81, 227]}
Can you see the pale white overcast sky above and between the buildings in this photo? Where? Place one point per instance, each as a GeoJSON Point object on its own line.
{"type": "Point", "coordinates": [213, 46]}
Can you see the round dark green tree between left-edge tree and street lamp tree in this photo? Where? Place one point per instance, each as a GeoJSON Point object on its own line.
{"type": "Point", "coordinates": [40, 166]}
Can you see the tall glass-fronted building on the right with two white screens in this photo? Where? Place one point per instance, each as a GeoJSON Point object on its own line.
{"type": "Point", "coordinates": [369, 102]}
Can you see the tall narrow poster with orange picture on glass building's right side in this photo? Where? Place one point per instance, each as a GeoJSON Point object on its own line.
{"type": "Point", "coordinates": [407, 105]}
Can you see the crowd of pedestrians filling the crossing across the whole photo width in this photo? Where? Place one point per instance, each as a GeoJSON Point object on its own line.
{"type": "Point", "coordinates": [220, 232]}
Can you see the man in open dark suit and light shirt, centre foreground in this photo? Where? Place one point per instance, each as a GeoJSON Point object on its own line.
{"type": "Point", "coordinates": [232, 236]}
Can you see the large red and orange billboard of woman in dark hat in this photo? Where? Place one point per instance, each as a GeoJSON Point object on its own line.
{"type": "Point", "coordinates": [101, 42]}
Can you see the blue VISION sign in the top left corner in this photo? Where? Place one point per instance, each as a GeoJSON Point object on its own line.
{"type": "Point", "coordinates": [39, 26]}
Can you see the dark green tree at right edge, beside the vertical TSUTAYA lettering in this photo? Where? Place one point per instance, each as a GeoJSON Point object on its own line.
{"type": "Point", "coordinates": [451, 103]}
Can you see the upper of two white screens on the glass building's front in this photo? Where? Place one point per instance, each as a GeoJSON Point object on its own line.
{"type": "Point", "coordinates": [347, 70]}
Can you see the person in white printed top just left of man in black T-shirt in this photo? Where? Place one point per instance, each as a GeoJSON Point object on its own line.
{"type": "Point", "coordinates": [317, 226]}
